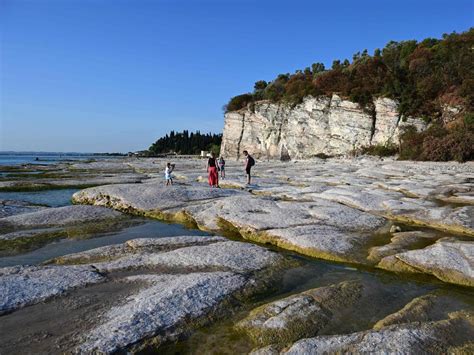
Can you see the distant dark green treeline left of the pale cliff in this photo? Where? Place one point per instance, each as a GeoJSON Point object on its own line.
{"type": "Point", "coordinates": [186, 143]}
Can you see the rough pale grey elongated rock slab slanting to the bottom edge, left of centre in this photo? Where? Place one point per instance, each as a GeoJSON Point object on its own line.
{"type": "Point", "coordinates": [163, 309]}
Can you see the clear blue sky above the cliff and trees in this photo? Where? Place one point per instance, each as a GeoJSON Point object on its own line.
{"type": "Point", "coordinates": [113, 75]}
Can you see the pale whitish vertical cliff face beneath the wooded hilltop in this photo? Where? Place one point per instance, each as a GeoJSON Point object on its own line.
{"type": "Point", "coordinates": [322, 125]}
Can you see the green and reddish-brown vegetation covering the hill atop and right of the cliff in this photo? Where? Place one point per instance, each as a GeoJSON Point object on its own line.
{"type": "Point", "coordinates": [423, 76]}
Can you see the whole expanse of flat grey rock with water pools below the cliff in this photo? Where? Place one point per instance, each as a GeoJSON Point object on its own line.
{"type": "Point", "coordinates": [317, 256]}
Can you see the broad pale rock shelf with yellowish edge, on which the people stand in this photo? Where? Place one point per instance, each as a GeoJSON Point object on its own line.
{"type": "Point", "coordinates": [332, 209]}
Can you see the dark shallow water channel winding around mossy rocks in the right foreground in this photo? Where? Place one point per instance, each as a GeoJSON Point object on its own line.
{"type": "Point", "coordinates": [388, 293]}
